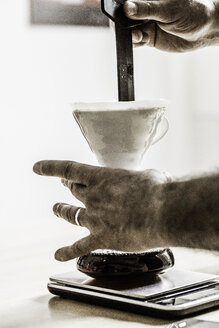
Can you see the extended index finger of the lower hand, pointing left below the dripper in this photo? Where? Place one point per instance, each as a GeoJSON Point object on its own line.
{"type": "Point", "coordinates": [76, 172]}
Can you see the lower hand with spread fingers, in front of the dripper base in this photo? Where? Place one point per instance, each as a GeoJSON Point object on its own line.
{"type": "Point", "coordinates": [121, 207]}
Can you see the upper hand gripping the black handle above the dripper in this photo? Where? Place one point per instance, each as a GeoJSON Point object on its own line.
{"type": "Point", "coordinates": [175, 25]}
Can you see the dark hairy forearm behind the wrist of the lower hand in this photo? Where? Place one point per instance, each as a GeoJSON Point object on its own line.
{"type": "Point", "coordinates": [190, 213]}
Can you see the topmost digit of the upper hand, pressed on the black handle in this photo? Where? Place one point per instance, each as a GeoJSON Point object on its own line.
{"type": "Point", "coordinates": [151, 10]}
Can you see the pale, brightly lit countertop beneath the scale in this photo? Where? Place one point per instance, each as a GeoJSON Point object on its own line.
{"type": "Point", "coordinates": [27, 262]}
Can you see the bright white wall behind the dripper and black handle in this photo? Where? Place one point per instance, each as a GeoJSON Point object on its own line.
{"type": "Point", "coordinates": [43, 69]}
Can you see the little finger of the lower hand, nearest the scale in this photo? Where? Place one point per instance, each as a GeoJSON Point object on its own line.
{"type": "Point", "coordinates": [80, 248]}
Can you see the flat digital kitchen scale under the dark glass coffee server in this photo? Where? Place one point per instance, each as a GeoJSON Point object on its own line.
{"type": "Point", "coordinates": [174, 293]}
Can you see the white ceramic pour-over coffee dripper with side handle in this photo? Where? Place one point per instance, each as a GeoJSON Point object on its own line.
{"type": "Point", "coordinates": [119, 133]}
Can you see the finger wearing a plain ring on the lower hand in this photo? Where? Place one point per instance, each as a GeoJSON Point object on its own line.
{"type": "Point", "coordinates": [68, 212]}
